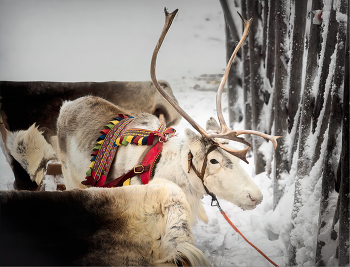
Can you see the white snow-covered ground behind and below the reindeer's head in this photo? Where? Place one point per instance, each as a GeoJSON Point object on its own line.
{"type": "Point", "coordinates": [114, 40]}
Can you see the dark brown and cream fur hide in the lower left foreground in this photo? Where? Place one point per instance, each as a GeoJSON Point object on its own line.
{"type": "Point", "coordinates": [129, 226]}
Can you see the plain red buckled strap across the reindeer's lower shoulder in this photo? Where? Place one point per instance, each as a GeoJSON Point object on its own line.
{"type": "Point", "coordinates": [145, 169]}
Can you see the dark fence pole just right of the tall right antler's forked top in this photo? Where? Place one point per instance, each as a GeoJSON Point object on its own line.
{"type": "Point", "coordinates": [256, 82]}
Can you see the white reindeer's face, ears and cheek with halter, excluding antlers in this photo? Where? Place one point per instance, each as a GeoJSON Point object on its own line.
{"type": "Point", "coordinates": [223, 175]}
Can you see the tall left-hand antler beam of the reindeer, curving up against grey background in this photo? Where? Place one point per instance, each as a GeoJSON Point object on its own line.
{"type": "Point", "coordinates": [169, 17]}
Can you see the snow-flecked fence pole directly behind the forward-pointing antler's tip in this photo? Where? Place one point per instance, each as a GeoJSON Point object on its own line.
{"type": "Point", "coordinates": [281, 125]}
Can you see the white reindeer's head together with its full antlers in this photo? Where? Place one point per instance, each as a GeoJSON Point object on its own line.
{"type": "Point", "coordinates": [220, 161]}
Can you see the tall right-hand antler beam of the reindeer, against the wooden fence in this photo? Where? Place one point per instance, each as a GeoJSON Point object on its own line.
{"type": "Point", "coordinates": [224, 128]}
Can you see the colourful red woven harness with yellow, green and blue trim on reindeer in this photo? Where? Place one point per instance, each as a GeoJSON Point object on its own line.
{"type": "Point", "coordinates": [115, 135]}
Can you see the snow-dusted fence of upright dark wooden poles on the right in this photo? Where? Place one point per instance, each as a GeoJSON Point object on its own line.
{"type": "Point", "coordinates": [293, 74]}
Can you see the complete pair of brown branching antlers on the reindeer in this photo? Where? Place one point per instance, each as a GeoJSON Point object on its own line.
{"type": "Point", "coordinates": [225, 131]}
